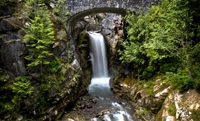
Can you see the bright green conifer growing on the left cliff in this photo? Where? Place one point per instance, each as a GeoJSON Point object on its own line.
{"type": "Point", "coordinates": [39, 38]}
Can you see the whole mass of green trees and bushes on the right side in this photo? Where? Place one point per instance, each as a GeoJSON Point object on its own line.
{"type": "Point", "coordinates": [165, 39]}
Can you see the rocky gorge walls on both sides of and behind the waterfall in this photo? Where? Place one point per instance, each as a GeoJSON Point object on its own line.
{"type": "Point", "coordinates": [155, 101]}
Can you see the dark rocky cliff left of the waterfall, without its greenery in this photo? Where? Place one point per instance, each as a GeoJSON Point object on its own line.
{"type": "Point", "coordinates": [12, 62]}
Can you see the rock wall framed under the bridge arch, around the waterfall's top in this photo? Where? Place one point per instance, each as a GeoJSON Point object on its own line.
{"type": "Point", "coordinates": [112, 28]}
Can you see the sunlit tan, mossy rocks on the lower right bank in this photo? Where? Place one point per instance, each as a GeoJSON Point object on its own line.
{"type": "Point", "coordinates": [162, 103]}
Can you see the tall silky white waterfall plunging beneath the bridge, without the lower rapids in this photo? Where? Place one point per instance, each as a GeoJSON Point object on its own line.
{"type": "Point", "coordinates": [100, 81]}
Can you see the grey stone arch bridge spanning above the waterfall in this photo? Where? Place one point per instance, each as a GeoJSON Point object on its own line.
{"type": "Point", "coordinates": [81, 8]}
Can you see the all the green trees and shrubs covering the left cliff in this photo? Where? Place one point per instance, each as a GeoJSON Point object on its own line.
{"type": "Point", "coordinates": [46, 72]}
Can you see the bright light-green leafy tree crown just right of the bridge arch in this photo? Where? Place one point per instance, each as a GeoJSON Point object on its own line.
{"type": "Point", "coordinates": [158, 34]}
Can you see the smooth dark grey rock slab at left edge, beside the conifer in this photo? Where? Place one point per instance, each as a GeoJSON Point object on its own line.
{"type": "Point", "coordinates": [12, 56]}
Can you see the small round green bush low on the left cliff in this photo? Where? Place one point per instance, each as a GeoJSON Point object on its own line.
{"type": "Point", "coordinates": [22, 88]}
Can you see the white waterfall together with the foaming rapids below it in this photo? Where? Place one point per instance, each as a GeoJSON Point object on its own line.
{"type": "Point", "coordinates": [100, 82]}
